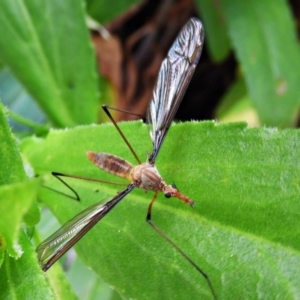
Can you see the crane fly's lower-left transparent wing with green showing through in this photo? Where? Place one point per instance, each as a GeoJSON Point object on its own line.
{"type": "Point", "coordinates": [63, 239]}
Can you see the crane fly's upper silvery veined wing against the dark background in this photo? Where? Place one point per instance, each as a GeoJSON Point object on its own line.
{"type": "Point", "coordinates": [173, 79]}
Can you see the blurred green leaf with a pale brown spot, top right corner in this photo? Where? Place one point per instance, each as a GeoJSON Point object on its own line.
{"type": "Point", "coordinates": [264, 38]}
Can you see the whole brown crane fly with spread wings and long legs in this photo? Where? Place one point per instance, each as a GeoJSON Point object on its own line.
{"type": "Point", "coordinates": [173, 79]}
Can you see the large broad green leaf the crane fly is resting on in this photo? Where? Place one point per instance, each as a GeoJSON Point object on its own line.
{"type": "Point", "coordinates": [245, 183]}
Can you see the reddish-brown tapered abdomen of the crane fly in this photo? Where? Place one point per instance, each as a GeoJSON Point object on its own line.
{"type": "Point", "coordinates": [111, 164]}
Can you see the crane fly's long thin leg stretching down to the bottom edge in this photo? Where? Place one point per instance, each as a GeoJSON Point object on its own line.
{"type": "Point", "coordinates": [149, 220]}
